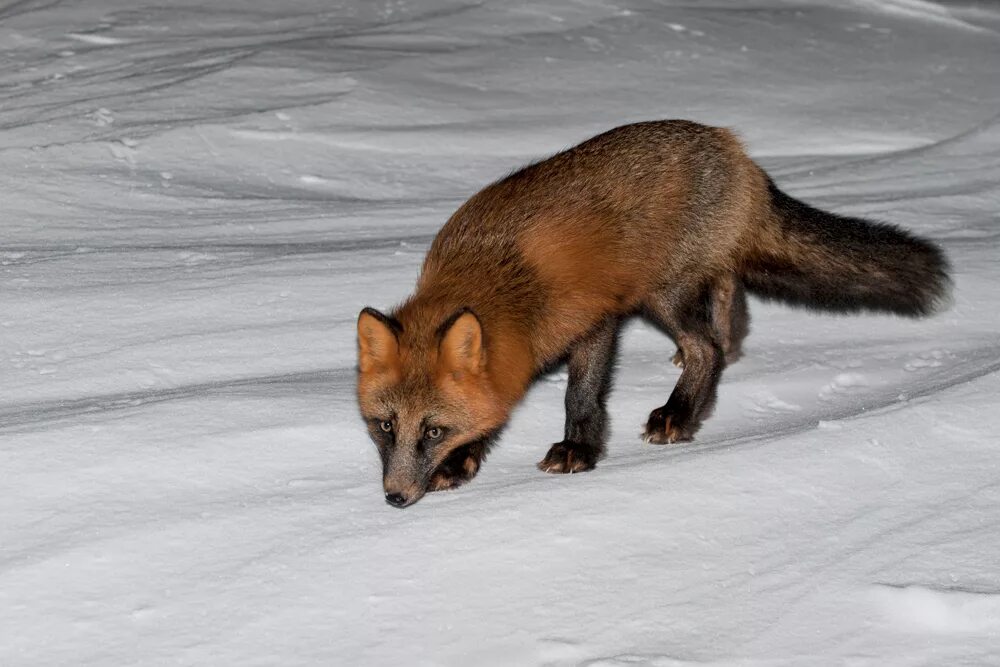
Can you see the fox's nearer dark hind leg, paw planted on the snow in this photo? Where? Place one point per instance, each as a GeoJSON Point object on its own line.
{"type": "Point", "coordinates": [691, 326]}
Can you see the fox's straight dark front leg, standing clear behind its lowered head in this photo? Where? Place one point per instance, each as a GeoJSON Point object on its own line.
{"type": "Point", "coordinates": [591, 362]}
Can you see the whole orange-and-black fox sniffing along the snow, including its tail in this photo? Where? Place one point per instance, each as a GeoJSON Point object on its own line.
{"type": "Point", "coordinates": [667, 220]}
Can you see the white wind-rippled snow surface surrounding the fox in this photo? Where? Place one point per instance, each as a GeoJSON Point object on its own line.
{"type": "Point", "coordinates": [198, 199]}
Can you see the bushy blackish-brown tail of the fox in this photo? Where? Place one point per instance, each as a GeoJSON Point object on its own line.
{"type": "Point", "coordinates": [816, 259]}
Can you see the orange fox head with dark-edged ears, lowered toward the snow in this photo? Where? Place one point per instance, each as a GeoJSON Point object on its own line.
{"type": "Point", "coordinates": [425, 392]}
